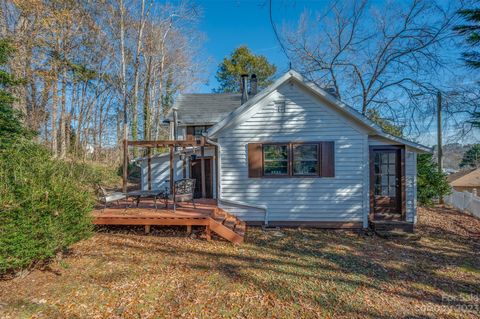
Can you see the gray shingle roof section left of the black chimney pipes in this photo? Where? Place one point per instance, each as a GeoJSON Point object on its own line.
{"type": "Point", "coordinates": [207, 108]}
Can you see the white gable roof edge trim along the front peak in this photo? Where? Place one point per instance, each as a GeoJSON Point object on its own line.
{"type": "Point", "coordinates": [343, 108]}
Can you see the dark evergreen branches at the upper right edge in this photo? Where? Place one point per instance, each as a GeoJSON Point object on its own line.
{"type": "Point", "coordinates": [472, 34]}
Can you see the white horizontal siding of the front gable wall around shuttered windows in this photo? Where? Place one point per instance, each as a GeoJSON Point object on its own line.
{"type": "Point", "coordinates": [338, 199]}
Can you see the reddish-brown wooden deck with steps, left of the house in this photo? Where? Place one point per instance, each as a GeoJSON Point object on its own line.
{"type": "Point", "coordinates": [206, 213]}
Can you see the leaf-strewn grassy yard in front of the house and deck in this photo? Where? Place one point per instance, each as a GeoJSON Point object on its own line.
{"type": "Point", "coordinates": [295, 273]}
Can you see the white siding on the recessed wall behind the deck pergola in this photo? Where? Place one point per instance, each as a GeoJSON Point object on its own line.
{"type": "Point", "coordinates": [160, 167]}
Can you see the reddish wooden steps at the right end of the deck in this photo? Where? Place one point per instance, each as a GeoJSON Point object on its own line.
{"type": "Point", "coordinates": [227, 226]}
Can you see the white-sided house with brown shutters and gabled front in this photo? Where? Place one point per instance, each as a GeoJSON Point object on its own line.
{"type": "Point", "coordinates": [291, 154]}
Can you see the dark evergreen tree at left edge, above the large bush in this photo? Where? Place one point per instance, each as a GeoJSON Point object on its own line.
{"type": "Point", "coordinates": [11, 126]}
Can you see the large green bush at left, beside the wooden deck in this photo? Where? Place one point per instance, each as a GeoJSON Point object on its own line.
{"type": "Point", "coordinates": [45, 204]}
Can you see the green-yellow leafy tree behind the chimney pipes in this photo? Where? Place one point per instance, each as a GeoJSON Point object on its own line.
{"type": "Point", "coordinates": [243, 61]}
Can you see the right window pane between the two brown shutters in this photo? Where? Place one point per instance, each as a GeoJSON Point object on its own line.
{"type": "Point", "coordinates": [305, 159]}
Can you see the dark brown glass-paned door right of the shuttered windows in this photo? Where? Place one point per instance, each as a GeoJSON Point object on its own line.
{"type": "Point", "coordinates": [386, 187]}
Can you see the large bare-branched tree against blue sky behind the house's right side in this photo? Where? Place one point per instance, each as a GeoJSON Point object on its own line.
{"type": "Point", "coordinates": [374, 55]}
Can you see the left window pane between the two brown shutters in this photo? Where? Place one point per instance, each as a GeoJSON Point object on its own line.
{"type": "Point", "coordinates": [275, 159]}
